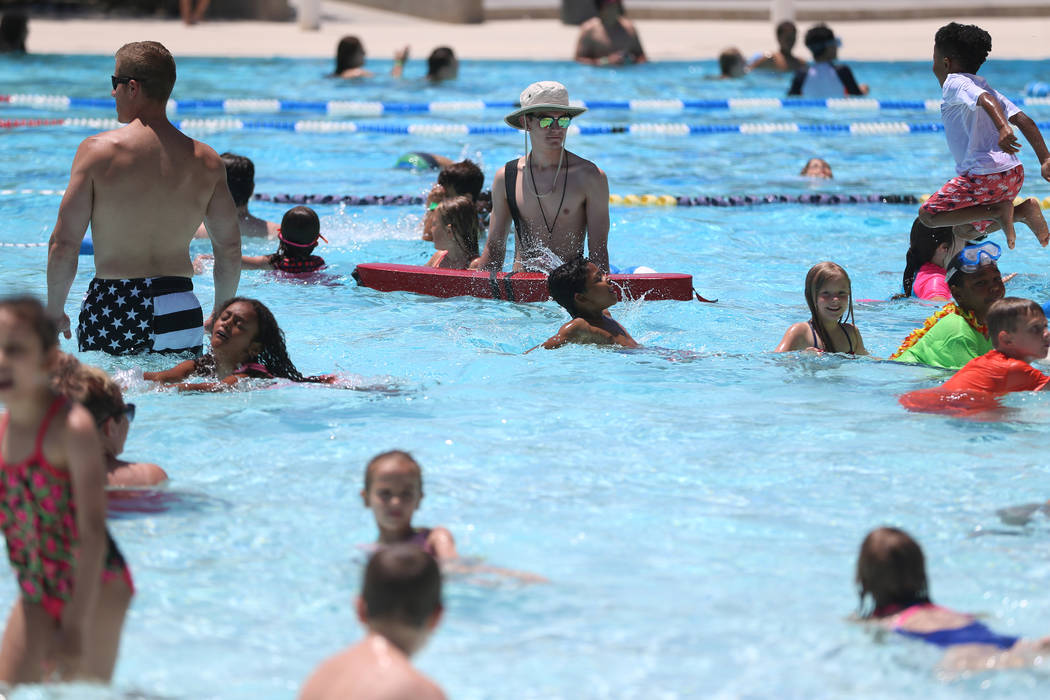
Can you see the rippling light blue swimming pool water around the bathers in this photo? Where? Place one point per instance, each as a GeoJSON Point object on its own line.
{"type": "Point", "coordinates": [697, 506]}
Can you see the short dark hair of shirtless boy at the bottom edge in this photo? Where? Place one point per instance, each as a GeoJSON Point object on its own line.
{"type": "Point", "coordinates": [403, 584]}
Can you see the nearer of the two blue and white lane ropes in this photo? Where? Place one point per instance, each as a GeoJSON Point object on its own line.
{"type": "Point", "coordinates": [650, 130]}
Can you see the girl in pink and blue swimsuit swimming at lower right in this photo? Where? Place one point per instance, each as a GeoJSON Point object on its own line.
{"type": "Point", "coordinates": [892, 570]}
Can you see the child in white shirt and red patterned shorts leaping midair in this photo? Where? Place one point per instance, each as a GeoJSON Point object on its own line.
{"type": "Point", "coordinates": [983, 143]}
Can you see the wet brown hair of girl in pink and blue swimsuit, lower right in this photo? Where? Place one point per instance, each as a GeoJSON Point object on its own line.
{"type": "Point", "coordinates": [892, 570]}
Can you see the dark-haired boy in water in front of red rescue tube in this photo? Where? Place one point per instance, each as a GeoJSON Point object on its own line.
{"type": "Point", "coordinates": [584, 291]}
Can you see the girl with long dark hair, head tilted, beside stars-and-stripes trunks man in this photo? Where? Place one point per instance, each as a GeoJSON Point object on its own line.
{"type": "Point", "coordinates": [246, 344]}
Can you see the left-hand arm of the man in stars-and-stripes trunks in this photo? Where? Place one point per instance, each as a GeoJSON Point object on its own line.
{"type": "Point", "coordinates": [75, 215]}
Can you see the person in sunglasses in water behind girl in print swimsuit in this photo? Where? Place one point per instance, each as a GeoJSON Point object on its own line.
{"type": "Point", "coordinates": [96, 391]}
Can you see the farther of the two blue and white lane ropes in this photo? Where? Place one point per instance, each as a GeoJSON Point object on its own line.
{"type": "Point", "coordinates": [367, 109]}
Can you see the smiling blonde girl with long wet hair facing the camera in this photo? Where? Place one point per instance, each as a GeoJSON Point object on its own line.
{"type": "Point", "coordinates": [830, 298]}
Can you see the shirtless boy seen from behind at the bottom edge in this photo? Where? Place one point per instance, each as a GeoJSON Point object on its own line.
{"type": "Point", "coordinates": [401, 606]}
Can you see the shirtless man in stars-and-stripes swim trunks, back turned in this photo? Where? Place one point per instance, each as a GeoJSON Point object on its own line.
{"type": "Point", "coordinates": [144, 189]}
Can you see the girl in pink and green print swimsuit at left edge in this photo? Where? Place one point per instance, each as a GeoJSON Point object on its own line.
{"type": "Point", "coordinates": [75, 588]}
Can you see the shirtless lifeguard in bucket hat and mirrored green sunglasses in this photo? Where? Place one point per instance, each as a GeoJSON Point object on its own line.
{"type": "Point", "coordinates": [560, 200]}
